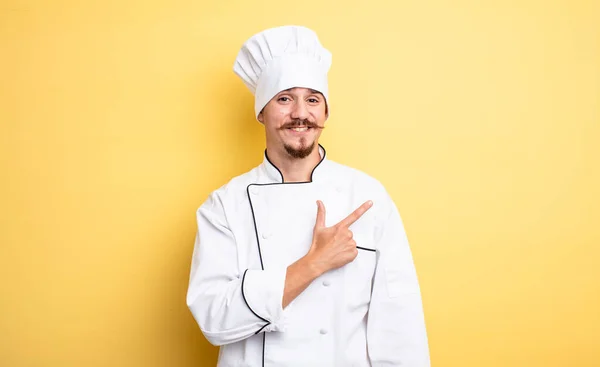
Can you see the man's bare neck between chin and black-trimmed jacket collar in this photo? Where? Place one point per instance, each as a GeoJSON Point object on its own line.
{"type": "Point", "coordinates": [294, 169]}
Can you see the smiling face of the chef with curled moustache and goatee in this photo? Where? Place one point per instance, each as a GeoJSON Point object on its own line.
{"type": "Point", "coordinates": [293, 121]}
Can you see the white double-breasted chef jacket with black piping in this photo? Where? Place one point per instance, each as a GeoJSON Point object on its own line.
{"type": "Point", "coordinates": [366, 313]}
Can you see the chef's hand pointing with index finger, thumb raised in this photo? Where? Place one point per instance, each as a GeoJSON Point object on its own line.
{"type": "Point", "coordinates": [333, 247]}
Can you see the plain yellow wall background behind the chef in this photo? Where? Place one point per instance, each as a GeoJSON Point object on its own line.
{"type": "Point", "coordinates": [119, 117]}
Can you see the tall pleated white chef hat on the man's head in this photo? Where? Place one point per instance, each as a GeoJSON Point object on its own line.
{"type": "Point", "coordinates": [280, 58]}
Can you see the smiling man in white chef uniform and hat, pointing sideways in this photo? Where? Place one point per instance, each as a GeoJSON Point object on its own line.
{"type": "Point", "coordinates": [302, 261]}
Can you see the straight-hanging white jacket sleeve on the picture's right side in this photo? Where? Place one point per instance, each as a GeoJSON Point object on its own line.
{"type": "Point", "coordinates": [396, 333]}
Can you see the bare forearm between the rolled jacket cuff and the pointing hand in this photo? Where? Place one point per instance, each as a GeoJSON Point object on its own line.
{"type": "Point", "coordinates": [298, 277]}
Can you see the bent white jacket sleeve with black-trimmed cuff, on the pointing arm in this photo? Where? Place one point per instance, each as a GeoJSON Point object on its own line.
{"type": "Point", "coordinates": [230, 304]}
